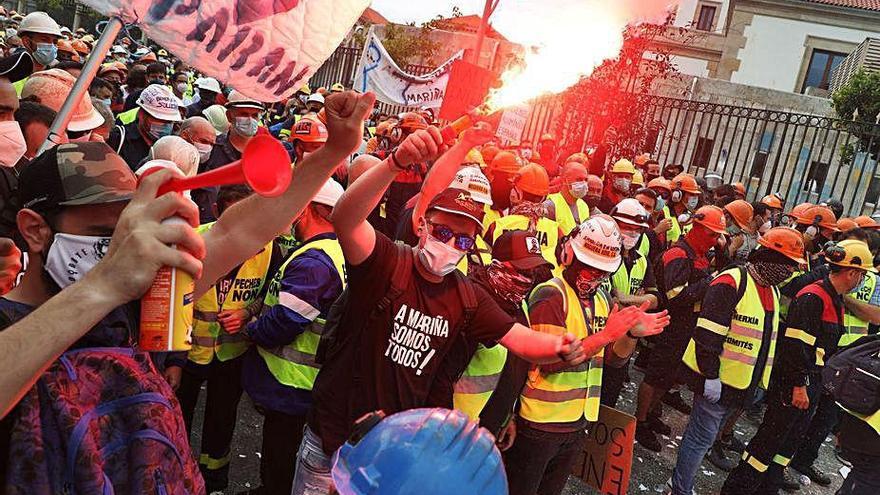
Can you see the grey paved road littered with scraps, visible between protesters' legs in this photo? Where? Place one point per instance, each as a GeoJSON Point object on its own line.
{"type": "Point", "coordinates": [649, 472]}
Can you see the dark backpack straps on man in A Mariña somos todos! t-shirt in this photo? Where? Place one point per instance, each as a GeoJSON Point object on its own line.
{"type": "Point", "coordinates": [334, 337]}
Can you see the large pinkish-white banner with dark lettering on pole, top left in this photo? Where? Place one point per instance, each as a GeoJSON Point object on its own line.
{"type": "Point", "coordinates": [267, 49]}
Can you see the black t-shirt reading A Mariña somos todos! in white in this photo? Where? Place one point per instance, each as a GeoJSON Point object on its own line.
{"type": "Point", "coordinates": [406, 358]}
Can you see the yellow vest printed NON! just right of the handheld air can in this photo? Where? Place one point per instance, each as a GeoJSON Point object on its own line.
{"type": "Point", "coordinates": [208, 337]}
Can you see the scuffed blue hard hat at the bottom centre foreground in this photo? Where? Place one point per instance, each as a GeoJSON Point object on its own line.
{"type": "Point", "coordinates": [420, 451]}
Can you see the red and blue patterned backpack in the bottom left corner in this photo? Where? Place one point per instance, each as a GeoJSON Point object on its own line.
{"type": "Point", "coordinates": [101, 420]}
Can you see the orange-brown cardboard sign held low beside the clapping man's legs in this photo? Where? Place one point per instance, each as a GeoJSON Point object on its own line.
{"type": "Point", "coordinates": [606, 461]}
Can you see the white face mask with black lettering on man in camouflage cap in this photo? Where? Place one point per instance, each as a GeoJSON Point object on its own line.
{"type": "Point", "coordinates": [70, 256]}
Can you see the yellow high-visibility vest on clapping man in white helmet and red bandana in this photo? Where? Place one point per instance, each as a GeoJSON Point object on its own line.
{"type": "Point", "coordinates": [569, 395]}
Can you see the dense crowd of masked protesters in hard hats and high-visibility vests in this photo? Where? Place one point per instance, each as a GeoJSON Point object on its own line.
{"type": "Point", "coordinates": [404, 289]}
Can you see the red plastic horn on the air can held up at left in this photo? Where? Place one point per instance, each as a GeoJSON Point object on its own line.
{"type": "Point", "coordinates": [264, 166]}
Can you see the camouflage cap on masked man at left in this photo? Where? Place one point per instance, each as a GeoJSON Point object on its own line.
{"type": "Point", "coordinates": [72, 174]}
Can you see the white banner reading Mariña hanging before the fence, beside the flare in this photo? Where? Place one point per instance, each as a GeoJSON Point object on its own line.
{"type": "Point", "coordinates": [377, 72]}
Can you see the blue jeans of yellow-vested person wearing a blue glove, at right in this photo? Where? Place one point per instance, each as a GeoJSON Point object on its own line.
{"type": "Point", "coordinates": [705, 421]}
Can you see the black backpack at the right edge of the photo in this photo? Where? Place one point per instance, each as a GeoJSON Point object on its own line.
{"type": "Point", "coordinates": [852, 376]}
